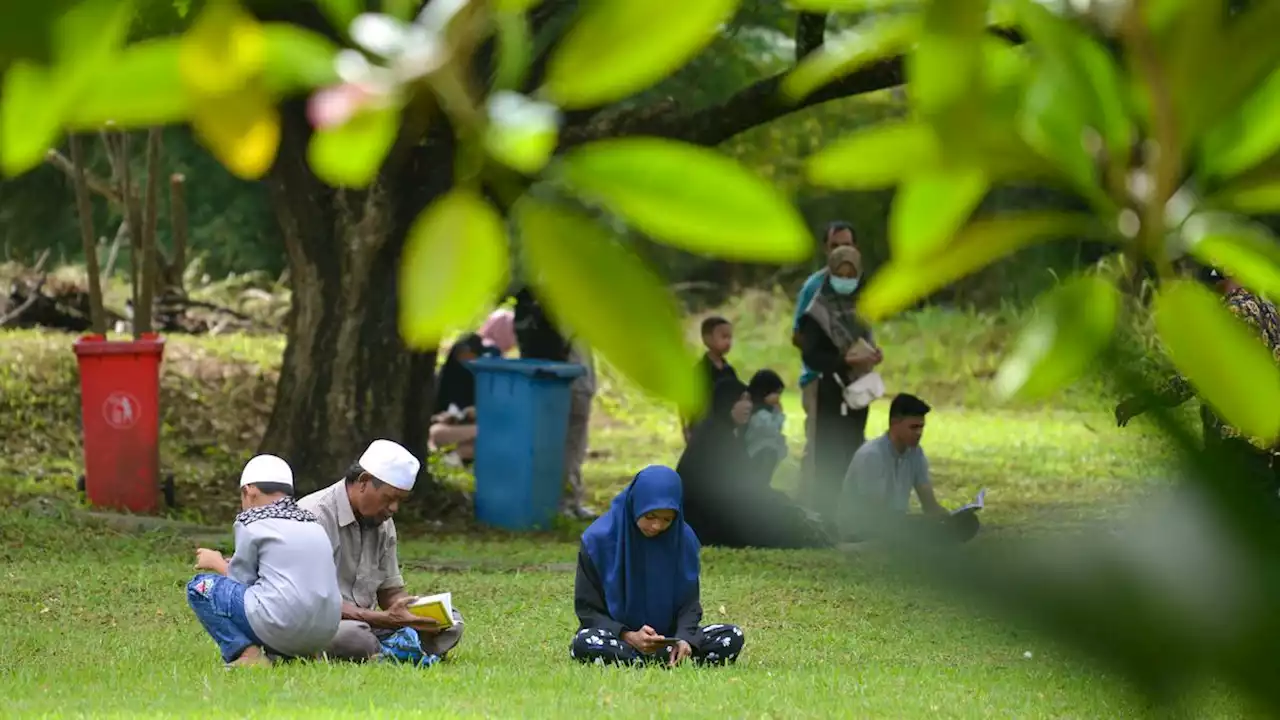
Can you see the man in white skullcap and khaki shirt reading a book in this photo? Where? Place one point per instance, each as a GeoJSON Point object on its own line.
{"type": "Point", "coordinates": [356, 512]}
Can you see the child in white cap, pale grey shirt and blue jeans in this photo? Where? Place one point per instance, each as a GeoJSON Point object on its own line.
{"type": "Point", "coordinates": [278, 595]}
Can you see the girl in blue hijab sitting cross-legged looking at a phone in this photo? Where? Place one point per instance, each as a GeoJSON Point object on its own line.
{"type": "Point", "coordinates": [637, 593]}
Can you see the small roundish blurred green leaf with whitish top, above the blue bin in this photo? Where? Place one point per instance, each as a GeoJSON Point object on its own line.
{"type": "Point", "coordinates": [522, 133]}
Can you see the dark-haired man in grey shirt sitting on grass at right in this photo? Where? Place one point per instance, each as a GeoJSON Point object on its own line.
{"type": "Point", "coordinates": [879, 485]}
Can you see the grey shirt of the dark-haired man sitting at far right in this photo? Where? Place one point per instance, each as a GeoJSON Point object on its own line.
{"type": "Point", "coordinates": [880, 482]}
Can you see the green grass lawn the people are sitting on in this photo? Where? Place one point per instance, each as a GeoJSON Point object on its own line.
{"type": "Point", "coordinates": [97, 625]}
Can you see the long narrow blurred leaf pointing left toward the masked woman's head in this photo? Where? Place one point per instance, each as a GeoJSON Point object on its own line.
{"type": "Point", "coordinates": [898, 286]}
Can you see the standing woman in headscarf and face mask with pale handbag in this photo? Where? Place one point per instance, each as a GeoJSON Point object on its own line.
{"type": "Point", "coordinates": [839, 345]}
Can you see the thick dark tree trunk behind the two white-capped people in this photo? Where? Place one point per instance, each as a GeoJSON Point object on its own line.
{"type": "Point", "coordinates": [348, 379]}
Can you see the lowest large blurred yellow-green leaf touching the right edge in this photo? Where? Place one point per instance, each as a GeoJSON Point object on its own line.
{"type": "Point", "coordinates": [1222, 357]}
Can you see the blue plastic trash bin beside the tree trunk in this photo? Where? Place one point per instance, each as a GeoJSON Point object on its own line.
{"type": "Point", "coordinates": [522, 425]}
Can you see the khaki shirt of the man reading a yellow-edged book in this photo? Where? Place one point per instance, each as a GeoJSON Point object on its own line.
{"type": "Point", "coordinates": [367, 557]}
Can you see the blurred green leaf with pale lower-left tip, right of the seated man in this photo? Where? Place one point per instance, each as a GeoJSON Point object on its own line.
{"type": "Point", "coordinates": [1073, 325]}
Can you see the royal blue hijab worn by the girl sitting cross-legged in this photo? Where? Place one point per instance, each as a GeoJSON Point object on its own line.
{"type": "Point", "coordinates": [646, 580]}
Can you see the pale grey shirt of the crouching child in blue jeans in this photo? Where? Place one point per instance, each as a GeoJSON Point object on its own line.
{"type": "Point", "coordinates": [292, 601]}
